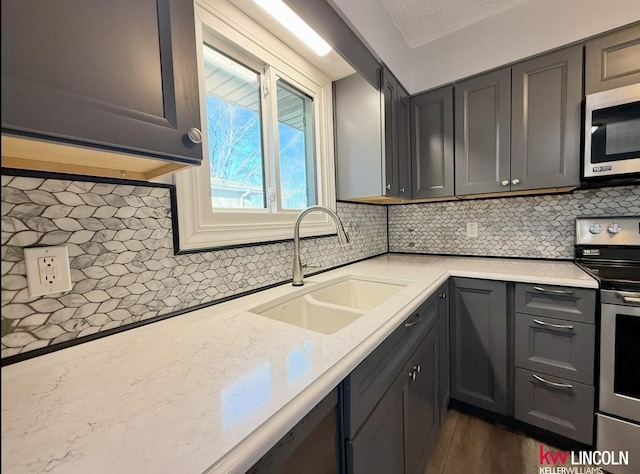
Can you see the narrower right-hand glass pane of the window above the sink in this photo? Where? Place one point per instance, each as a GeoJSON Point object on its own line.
{"type": "Point", "coordinates": [295, 137]}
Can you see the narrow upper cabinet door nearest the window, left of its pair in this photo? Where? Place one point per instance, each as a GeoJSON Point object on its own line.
{"type": "Point", "coordinates": [390, 96]}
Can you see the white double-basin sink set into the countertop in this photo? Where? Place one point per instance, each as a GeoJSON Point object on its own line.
{"type": "Point", "coordinates": [328, 307]}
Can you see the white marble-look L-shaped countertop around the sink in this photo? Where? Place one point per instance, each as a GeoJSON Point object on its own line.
{"type": "Point", "coordinates": [214, 389]}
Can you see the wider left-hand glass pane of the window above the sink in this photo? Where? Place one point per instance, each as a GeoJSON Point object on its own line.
{"type": "Point", "coordinates": [234, 132]}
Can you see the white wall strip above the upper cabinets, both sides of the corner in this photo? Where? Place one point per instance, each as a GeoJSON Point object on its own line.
{"type": "Point", "coordinates": [525, 30]}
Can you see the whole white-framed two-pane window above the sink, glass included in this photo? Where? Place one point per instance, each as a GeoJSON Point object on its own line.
{"type": "Point", "coordinates": [268, 153]}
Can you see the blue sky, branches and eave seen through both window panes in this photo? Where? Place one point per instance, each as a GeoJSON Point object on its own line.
{"type": "Point", "coordinates": [233, 112]}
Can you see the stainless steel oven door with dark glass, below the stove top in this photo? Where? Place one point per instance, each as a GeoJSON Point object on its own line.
{"type": "Point", "coordinates": [620, 355]}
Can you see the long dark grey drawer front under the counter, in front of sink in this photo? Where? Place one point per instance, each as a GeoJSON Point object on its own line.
{"type": "Point", "coordinates": [368, 382]}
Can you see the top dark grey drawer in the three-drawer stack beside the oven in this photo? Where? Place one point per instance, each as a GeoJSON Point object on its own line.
{"type": "Point", "coordinates": [573, 304]}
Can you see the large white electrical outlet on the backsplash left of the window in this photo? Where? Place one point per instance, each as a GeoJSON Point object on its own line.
{"type": "Point", "coordinates": [47, 270]}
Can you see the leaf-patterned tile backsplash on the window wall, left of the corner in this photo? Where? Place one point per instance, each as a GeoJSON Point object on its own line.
{"type": "Point", "coordinates": [123, 266]}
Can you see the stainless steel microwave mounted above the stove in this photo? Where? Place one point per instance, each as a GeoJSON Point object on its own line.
{"type": "Point", "coordinates": [612, 133]}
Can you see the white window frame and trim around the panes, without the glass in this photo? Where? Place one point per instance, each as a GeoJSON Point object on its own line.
{"type": "Point", "coordinates": [199, 226]}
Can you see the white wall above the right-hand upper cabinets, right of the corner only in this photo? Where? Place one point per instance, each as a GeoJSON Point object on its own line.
{"type": "Point", "coordinates": [522, 31]}
